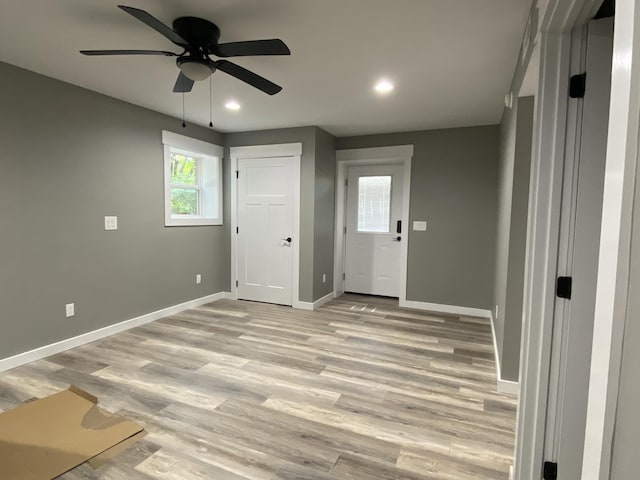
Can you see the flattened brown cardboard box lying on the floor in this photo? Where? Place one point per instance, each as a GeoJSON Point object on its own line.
{"type": "Point", "coordinates": [45, 438]}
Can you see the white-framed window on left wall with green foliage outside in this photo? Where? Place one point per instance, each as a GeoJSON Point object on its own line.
{"type": "Point", "coordinates": [193, 181]}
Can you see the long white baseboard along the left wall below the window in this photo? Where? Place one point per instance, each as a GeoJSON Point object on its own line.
{"type": "Point", "coordinates": [63, 345]}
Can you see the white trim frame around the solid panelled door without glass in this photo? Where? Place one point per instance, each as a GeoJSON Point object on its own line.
{"type": "Point", "coordinates": [294, 151]}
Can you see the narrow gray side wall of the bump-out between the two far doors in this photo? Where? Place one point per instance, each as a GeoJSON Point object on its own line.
{"type": "Point", "coordinates": [324, 215]}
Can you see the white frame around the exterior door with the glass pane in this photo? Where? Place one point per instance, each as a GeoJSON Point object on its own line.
{"type": "Point", "coordinates": [393, 155]}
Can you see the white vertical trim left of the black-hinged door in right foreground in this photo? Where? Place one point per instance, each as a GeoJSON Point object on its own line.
{"type": "Point", "coordinates": [543, 231]}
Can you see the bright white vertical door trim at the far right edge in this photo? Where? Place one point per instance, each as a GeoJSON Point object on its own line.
{"type": "Point", "coordinates": [615, 243]}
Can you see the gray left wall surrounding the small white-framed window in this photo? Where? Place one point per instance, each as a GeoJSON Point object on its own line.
{"type": "Point", "coordinates": [69, 157]}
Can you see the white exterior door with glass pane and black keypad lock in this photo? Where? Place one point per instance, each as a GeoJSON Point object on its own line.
{"type": "Point", "coordinates": [374, 233]}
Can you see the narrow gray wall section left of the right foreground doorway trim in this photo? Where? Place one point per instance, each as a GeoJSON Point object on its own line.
{"type": "Point", "coordinates": [513, 205]}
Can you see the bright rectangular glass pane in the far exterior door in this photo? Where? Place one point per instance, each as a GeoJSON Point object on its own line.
{"type": "Point", "coordinates": [374, 204]}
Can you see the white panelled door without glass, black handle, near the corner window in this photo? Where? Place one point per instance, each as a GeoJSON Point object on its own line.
{"type": "Point", "coordinates": [265, 229]}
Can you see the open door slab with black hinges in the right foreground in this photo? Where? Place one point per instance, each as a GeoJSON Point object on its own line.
{"type": "Point", "coordinates": [577, 335]}
